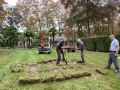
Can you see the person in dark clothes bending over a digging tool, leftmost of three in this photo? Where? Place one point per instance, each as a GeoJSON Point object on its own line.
{"type": "Point", "coordinates": [60, 52]}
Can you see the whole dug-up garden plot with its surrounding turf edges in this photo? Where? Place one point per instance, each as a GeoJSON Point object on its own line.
{"type": "Point", "coordinates": [47, 71]}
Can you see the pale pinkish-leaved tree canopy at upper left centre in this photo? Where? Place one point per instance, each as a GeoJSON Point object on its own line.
{"type": "Point", "coordinates": [39, 15]}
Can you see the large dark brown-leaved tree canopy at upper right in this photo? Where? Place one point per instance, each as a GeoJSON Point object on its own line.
{"type": "Point", "coordinates": [89, 14]}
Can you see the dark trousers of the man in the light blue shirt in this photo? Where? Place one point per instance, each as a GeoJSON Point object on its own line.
{"type": "Point", "coordinates": [113, 59]}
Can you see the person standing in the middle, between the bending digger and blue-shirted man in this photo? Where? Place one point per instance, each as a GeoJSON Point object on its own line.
{"type": "Point", "coordinates": [81, 46]}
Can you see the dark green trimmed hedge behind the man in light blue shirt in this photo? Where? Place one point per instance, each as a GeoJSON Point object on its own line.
{"type": "Point", "coordinates": [100, 44]}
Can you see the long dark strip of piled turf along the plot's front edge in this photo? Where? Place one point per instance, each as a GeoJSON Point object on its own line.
{"type": "Point", "coordinates": [53, 78]}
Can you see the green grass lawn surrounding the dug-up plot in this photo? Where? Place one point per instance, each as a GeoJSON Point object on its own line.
{"type": "Point", "coordinates": [9, 81]}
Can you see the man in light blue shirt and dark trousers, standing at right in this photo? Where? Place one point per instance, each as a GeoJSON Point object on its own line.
{"type": "Point", "coordinates": [113, 51]}
